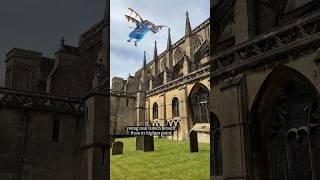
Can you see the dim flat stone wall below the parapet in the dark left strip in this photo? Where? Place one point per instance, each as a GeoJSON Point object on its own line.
{"type": "Point", "coordinates": [43, 158]}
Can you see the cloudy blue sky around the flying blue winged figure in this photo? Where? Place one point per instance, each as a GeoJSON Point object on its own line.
{"type": "Point", "coordinates": [125, 58]}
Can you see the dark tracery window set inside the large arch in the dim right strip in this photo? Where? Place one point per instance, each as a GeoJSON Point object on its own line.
{"type": "Point", "coordinates": [288, 133]}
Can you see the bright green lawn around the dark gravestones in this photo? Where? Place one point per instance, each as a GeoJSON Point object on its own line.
{"type": "Point", "coordinates": [170, 160]}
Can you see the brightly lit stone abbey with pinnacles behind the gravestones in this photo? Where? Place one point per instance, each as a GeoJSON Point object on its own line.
{"type": "Point", "coordinates": [172, 89]}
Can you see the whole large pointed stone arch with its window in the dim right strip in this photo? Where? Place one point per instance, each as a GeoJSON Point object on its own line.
{"type": "Point", "coordinates": [280, 124]}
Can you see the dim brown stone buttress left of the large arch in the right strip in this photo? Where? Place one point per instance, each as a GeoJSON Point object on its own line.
{"type": "Point", "coordinates": [234, 129]}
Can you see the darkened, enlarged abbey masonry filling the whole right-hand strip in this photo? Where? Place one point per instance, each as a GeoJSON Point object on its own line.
{"type": "Point", "coordinates": [264, 89]}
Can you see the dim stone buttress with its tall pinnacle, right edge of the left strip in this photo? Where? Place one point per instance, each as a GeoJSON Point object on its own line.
{"type": "Point", "coordinates": [96, 127]}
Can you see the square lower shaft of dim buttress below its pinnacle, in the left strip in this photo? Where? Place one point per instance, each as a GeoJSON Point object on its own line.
{"type": "Point", "coordinates": [95, 147]}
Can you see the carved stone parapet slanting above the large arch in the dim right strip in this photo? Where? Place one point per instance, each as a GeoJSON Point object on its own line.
{"type": "Point", "coordinates": [279, 42]}
